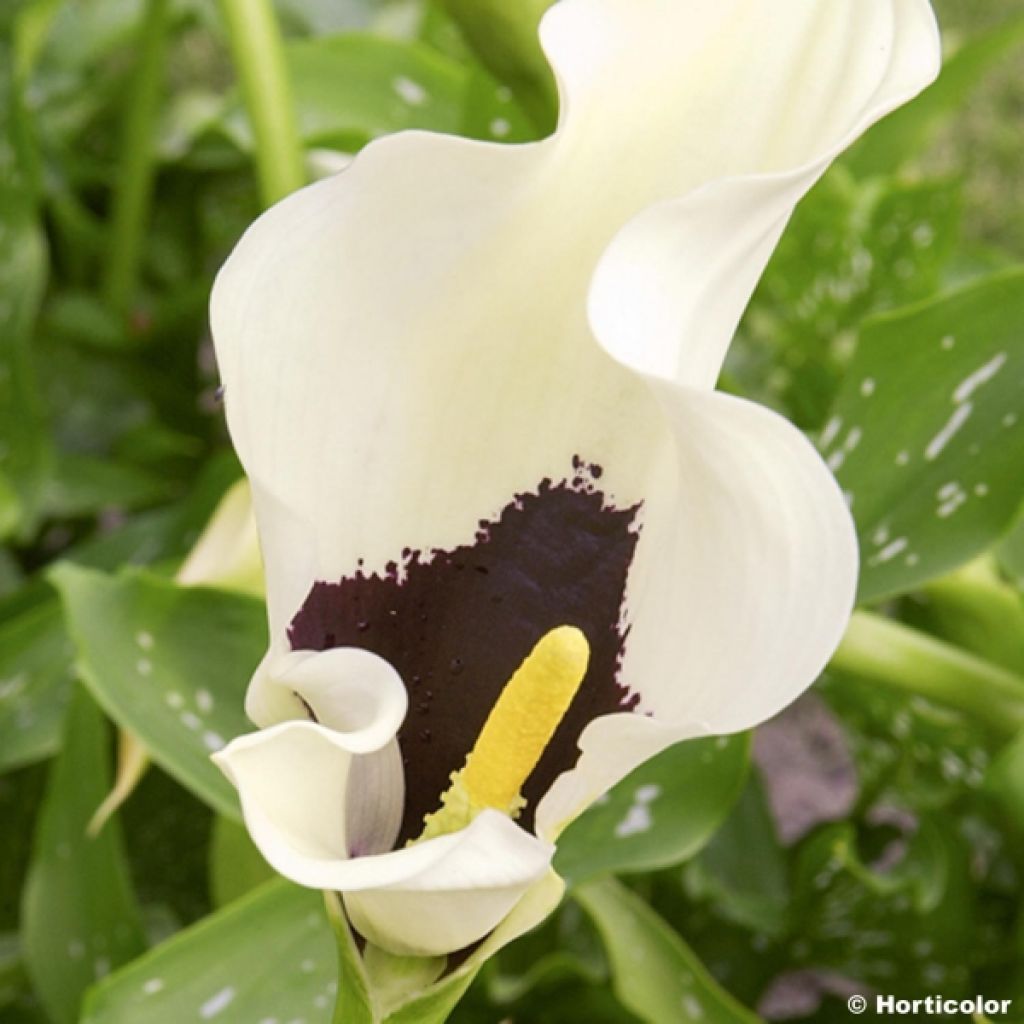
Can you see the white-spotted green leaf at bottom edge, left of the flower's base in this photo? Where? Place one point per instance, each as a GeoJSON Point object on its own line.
{"type": "Point", "coordinates": [269, 956]}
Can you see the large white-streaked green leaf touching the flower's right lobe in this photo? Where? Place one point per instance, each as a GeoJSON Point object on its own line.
{"type": "Point", "coordinates": [926, 436]}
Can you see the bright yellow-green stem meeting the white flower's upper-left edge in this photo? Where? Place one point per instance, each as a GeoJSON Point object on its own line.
{"type": "Point", "coordinates": [260, 60]}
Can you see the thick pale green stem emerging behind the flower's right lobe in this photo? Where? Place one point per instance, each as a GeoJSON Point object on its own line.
{"type": "Point", "coordinates": [897, 656]}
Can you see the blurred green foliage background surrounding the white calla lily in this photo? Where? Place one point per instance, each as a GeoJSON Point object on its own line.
{"type": "Point", "coordinates": [876, 835]}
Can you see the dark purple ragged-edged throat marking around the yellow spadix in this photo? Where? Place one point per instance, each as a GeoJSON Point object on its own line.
{"type": "Point", "coordinates": [456, 625]}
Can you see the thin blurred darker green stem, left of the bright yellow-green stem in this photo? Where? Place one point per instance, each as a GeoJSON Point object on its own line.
{"type": "Point", "coordinates": [135, 182]}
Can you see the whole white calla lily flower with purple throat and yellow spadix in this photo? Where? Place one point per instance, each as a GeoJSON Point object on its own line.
{"type": "Point", "coordinates": [516, 543]}
